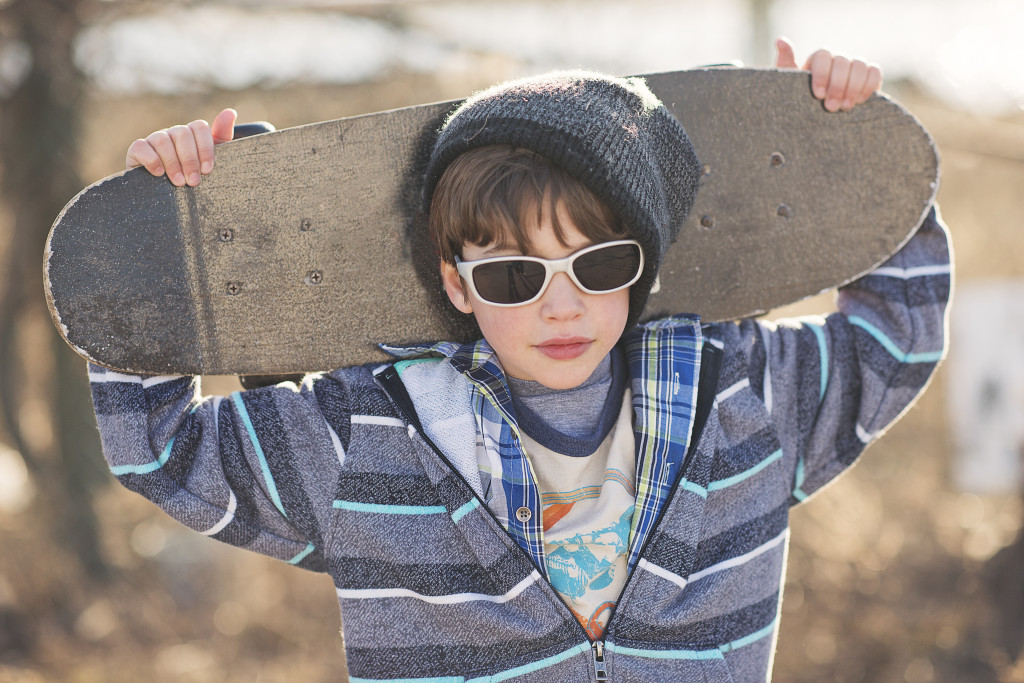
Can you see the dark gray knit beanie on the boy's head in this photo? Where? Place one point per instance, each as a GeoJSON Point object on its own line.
{"type": "Point", "coordinates": [613, 135]}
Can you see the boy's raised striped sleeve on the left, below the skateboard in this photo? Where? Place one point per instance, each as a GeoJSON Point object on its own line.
{"type": "Point", "coordinates": [257, 469]}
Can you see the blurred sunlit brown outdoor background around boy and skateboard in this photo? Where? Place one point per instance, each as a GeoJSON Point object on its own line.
{"type": "Point", "coordinates": [910, 569]}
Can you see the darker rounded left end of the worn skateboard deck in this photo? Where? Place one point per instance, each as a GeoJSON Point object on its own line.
{"type": "Point", "coordinates": [114, 284]}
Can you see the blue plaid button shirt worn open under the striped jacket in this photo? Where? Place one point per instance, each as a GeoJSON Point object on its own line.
{"type": "Point", "coordinates": [664, 360]}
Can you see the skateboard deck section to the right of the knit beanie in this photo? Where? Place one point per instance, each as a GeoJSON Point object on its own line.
{"type": "Point", "coordinates": [801, 202]}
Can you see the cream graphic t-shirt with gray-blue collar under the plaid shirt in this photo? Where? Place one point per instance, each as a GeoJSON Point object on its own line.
{"type": "Point", "coordinates": [581, 447]}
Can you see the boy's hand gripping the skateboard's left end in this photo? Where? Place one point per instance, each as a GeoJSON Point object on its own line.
{"type": "Point", "coordinates": [185, 153]}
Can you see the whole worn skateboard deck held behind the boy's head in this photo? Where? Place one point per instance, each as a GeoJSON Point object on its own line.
{"type": "Point", "coordinates": [306, 247]}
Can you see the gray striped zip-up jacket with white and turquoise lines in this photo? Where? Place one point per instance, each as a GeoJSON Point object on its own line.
{"type": "Point", "coordinates": [337, 476]}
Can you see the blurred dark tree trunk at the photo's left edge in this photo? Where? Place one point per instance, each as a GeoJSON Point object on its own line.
{"type": "Point", "coordinates": [40, 129]}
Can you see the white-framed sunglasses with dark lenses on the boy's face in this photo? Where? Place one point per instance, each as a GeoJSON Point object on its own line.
{"type": "Point", "coordinates": [518, 281]}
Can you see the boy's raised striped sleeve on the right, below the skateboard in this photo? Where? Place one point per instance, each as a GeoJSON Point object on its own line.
{"type": "Point", "coordinates": [834, 386]}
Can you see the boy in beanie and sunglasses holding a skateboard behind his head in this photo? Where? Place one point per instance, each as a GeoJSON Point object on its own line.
{"type": "Point", "coordinates": [575, 497]}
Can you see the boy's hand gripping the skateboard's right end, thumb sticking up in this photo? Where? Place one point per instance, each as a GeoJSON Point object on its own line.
{"type": "Point", "coordinates": [838, 80]}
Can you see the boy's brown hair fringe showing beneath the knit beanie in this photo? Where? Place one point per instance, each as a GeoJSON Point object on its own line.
{"type": "Point", "coordinates": [495, 195]}
